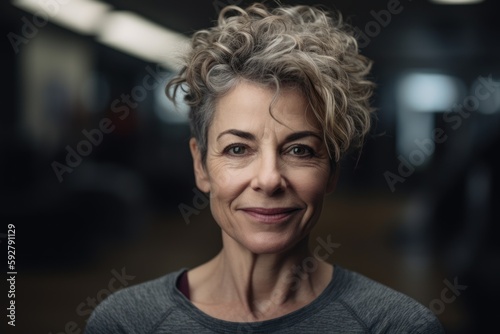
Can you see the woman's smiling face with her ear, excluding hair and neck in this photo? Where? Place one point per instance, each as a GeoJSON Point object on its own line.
{"type": "Point", "coordinates": [267, 179]}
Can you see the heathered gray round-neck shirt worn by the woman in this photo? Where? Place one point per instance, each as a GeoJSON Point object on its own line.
{"type": "Point", "coordinates": [351, 303]}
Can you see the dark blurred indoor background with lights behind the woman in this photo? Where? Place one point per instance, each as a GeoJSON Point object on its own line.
{"type": "Point", "coordinates": [97, 178]}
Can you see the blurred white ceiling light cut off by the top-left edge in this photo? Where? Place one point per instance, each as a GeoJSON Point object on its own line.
{"type": "Point", "coordinates": [82, 16]}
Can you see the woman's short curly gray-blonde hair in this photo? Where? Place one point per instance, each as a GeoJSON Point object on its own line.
{"type": "Point", "coordinates": [300, 46]}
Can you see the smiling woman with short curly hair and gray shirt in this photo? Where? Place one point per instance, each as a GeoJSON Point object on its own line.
{"type": "Point", "coordinates": [277, 98]}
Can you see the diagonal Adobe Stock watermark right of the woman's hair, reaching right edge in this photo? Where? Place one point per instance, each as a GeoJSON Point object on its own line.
{"type": "Point", "coordinates": [454, 117]}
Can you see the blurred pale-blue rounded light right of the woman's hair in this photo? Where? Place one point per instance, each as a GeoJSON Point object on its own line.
{"type": "Point", "coordinates": [429, 92]}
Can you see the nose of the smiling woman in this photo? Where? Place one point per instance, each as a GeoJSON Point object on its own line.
{"type": "Point", "coordinates": [268, 174]}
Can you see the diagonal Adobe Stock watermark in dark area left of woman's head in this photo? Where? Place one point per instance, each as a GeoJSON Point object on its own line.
{"type": "Point", "coordinates": [121, 107]}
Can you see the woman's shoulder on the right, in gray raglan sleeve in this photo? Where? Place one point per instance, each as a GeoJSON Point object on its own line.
{"type": "Point", "coordinates": [383, 309]}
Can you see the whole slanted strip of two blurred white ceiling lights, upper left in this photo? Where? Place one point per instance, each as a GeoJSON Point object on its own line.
{"type": "Point", "coordinates": [125, 31]}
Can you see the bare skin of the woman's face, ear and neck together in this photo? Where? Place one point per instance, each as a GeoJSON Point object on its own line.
{"type": "Point", "coordinates": [267, 177]}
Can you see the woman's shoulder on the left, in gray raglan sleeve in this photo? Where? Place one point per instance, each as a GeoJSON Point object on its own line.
{"type": "Point", "coordinates": [145, 304]}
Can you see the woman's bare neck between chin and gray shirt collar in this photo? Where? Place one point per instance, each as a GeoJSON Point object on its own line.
{"type": "Point", "coordinates": [262, 286]}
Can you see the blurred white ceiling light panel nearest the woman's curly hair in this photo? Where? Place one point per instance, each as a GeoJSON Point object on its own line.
{"type": "Point", "coordinates": [135, 35]}
